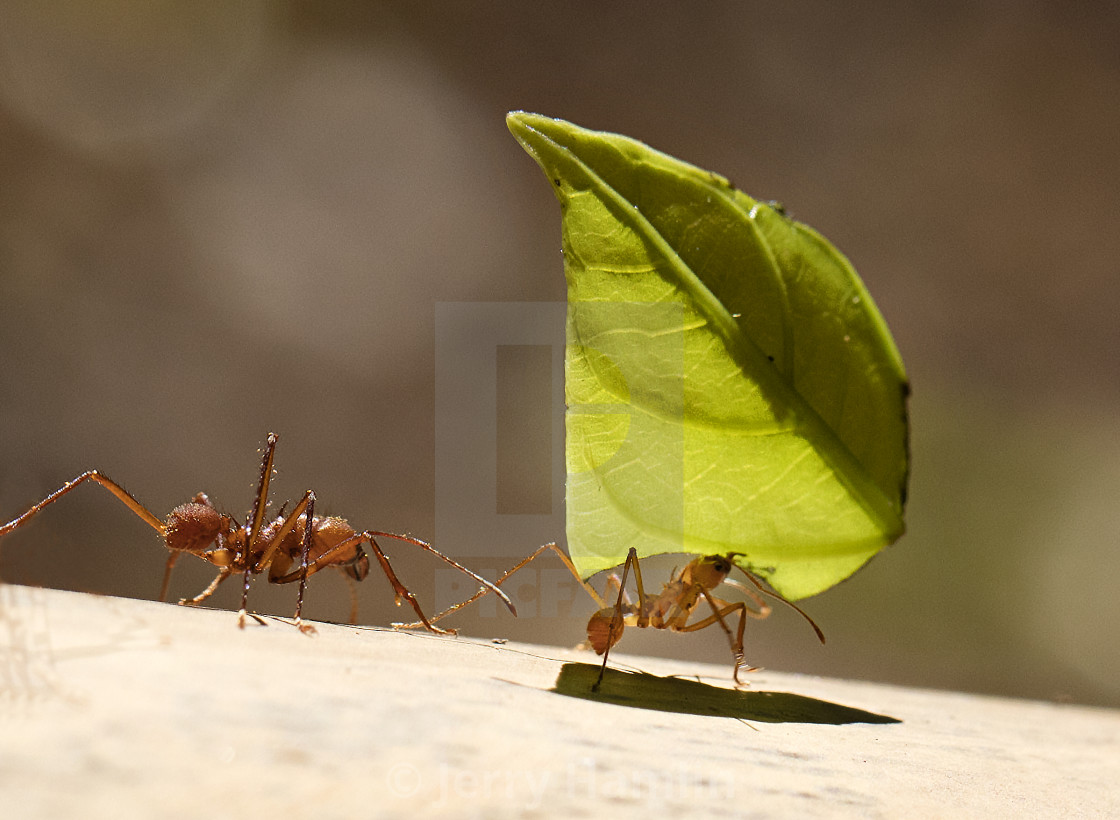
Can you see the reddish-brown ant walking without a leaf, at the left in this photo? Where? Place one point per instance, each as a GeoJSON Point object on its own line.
{"type": "Point", "coordinates": [199, 529]}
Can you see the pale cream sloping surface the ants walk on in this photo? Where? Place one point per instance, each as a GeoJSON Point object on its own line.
{"type": "Point", "coordinates": [124, 709]}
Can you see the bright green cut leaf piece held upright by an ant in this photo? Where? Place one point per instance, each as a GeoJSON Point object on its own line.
{"type": "Point", "coordinates": [731, 385]}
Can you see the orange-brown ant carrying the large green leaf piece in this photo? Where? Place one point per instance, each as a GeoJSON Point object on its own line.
{"type": "Point", "coordinates": [669, 610]}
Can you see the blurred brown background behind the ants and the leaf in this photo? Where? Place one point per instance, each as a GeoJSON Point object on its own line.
{"type": "Point", "coordinates": [222, 219]}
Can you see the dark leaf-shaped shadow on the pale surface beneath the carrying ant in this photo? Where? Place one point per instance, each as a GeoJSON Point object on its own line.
{"type": "Point", "coordinates": [642, 691]}
